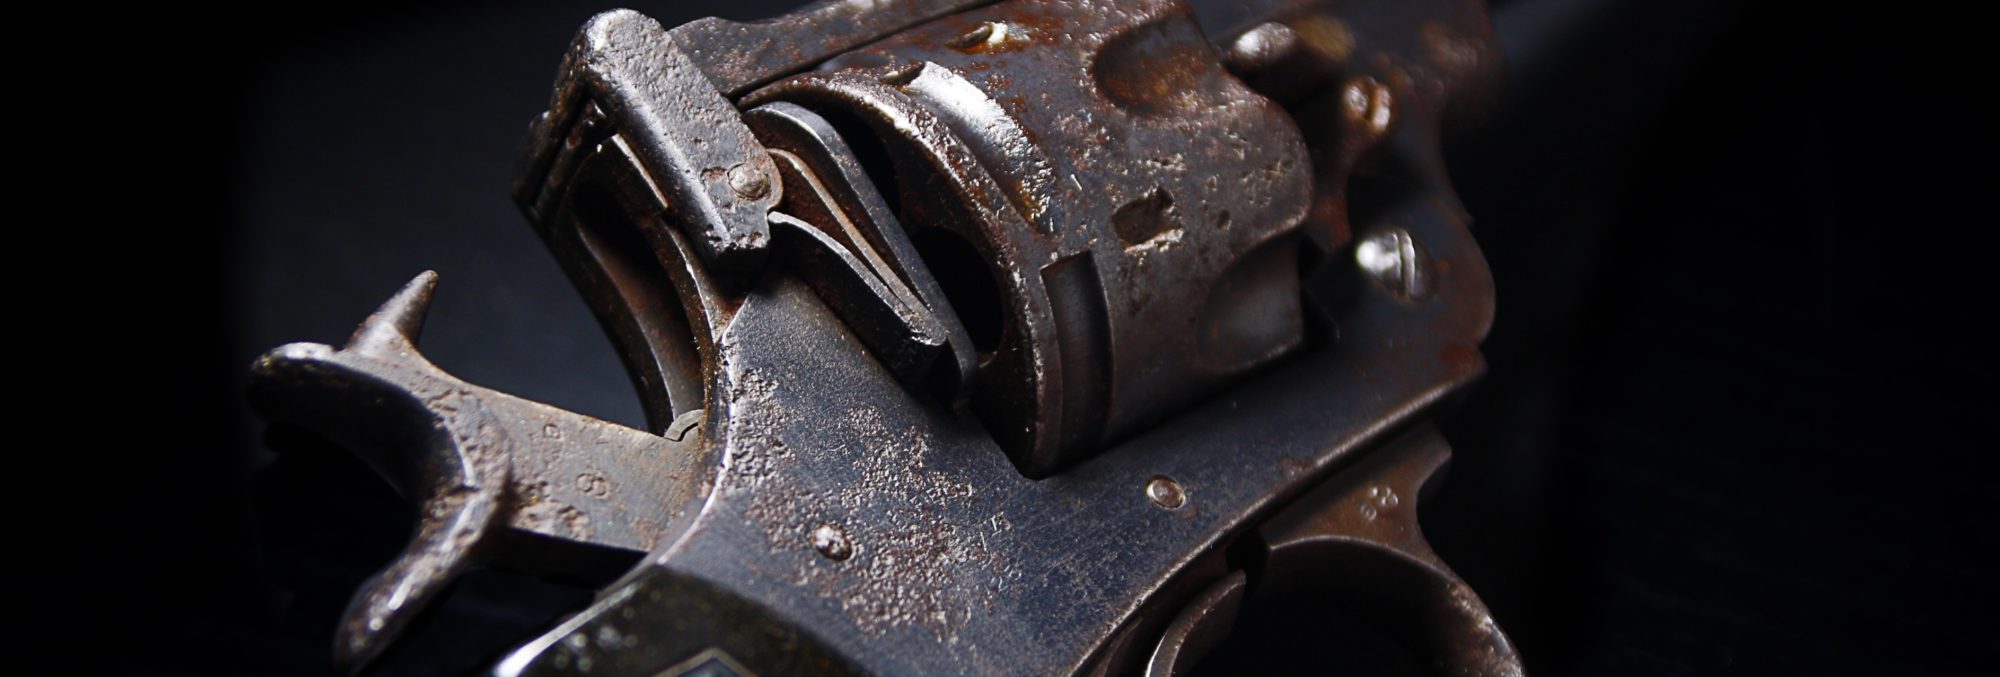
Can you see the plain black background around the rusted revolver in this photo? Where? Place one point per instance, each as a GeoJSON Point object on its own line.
{"type": "Point", "coordinates": [1737, 418]}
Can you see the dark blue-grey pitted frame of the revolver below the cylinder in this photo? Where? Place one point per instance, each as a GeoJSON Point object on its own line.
{"type": "Point", "coordinates": [961, 564]}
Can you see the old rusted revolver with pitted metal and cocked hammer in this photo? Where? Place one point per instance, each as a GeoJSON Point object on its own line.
{"type": "Point", "coordinates": [973, 337]}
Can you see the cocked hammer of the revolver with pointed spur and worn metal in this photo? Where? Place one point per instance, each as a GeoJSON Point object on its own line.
{"type": "Point", "coordinates": [477, 462]}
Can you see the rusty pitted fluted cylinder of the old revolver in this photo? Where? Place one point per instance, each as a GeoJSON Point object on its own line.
{"type": "Point", "coordinates": [1131, 197]}
